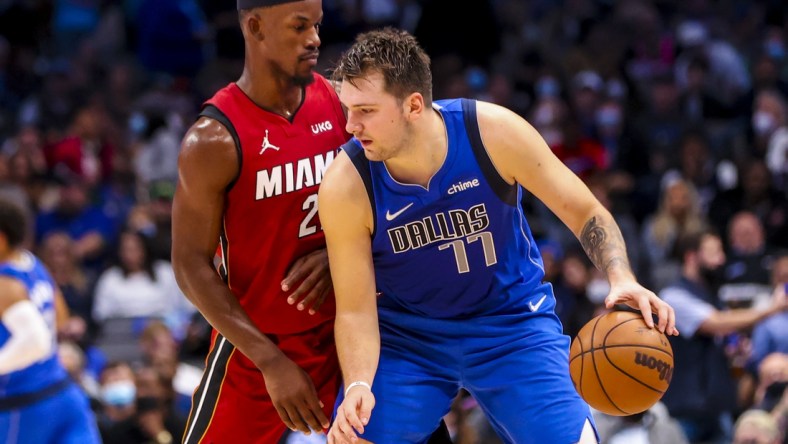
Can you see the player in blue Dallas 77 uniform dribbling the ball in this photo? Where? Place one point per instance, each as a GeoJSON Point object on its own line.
{"type": "Point", "coordinates": [423, 207]}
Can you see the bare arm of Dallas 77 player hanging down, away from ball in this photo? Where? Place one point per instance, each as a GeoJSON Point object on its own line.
{"type": "Point", "coordinates": [346, 216]}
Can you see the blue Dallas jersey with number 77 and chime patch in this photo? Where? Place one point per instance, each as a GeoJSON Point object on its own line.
{"type": "Point", "coordinates": [460, 247]}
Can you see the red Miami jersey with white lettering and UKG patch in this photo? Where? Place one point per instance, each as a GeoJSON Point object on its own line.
{"type": "Point", "coordinates": [270, 218]}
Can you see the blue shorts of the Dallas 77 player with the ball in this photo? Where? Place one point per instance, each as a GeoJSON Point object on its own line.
{"type": "Point", "coordinates": [516, 366]}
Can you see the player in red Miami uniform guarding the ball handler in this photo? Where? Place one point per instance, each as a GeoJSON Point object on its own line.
{"type": "Point", "coordinates": [249, 170]}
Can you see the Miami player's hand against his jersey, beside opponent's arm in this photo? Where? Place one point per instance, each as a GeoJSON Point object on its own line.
{"type": "Point", "coordinates": [313, 273]}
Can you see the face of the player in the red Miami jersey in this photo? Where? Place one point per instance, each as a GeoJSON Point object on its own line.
{"type": "Point", "coordinates": [291, 42]}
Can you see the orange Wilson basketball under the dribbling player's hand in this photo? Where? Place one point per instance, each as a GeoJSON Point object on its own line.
{"type": "Point", "coordinates": [619, 366]}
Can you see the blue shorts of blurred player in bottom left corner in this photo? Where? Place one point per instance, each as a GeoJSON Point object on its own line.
{"type": "Point", "coordinates": [63, 418]}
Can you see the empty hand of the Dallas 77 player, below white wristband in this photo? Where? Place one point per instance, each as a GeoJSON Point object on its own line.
{"type": "Point", "coordinates": [352, 415]}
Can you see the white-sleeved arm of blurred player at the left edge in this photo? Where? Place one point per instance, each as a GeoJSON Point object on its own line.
{"type": "Point", "coordinates": [30, 339]}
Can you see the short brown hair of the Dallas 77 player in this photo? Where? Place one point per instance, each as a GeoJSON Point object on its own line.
{"type": "Point", "coordinates": [396, 55]}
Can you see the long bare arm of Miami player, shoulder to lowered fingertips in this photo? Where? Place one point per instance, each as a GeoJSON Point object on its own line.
{"type": "Point", "coordinates": [207, 164]}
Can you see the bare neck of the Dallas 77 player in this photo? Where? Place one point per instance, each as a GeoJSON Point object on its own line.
{"type": "Point", "coordinates": [423, 155]}
